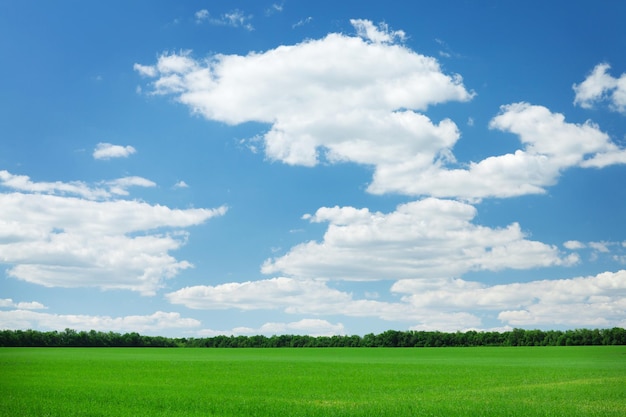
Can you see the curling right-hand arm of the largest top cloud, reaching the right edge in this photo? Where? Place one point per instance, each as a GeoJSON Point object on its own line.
{"type": "Point", "coordinates": [550, 145]}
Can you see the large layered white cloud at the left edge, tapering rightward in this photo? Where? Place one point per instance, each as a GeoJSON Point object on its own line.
{"type": "Point", "coordinates": [68, 241]}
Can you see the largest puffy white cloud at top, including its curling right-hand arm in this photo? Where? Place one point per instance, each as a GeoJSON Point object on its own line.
{"type": "Point", "coordinates": [355, 99]}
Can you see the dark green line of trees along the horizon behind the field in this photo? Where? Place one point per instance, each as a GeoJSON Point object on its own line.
{"type": "Point", "coordinates": [389, 338]}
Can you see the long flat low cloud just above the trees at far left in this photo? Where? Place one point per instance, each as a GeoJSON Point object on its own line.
{"type": "Point", "coordinates": [154, 324]}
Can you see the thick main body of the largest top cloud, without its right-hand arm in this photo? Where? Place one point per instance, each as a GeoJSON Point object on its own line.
{"type": "Point", "coordinates": [342, 97]}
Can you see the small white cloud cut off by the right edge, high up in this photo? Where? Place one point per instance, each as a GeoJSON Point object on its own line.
{"type": "Point", "coordinates": [600, 86]}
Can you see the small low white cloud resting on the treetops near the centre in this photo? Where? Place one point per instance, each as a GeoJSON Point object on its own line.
{"type": "Point", "coordinates": [310, 327]}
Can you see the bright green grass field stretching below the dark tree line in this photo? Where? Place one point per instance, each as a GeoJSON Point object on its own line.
{"type": "Point", "coordinates": [536, 381]}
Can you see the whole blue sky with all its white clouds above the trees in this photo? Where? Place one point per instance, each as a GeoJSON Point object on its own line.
{"type": "Point", "coordinates": [200, 168]}
